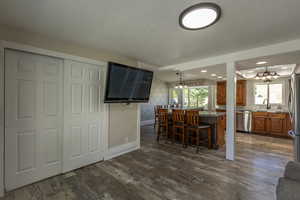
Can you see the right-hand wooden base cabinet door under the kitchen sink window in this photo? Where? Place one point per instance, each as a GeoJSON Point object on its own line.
{"type": "Point", "coordinates": [276, 124]}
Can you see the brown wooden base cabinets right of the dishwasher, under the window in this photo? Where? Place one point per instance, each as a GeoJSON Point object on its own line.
{"type": "Point", "coordinates": [276, 124]}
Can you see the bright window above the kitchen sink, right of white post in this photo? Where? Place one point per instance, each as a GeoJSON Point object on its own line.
{"type": "Point", "coordinates": [274, 95]}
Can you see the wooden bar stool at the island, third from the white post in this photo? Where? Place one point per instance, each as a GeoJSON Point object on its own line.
{"type": "Point", "coordinates": [163, 124]}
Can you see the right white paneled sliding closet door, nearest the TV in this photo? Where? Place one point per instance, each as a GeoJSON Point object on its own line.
{"type": "Point", "coordinates": [82, 117]}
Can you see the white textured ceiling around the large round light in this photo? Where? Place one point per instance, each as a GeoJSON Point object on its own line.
{"type": "Point", "coordinates": [148, 30]}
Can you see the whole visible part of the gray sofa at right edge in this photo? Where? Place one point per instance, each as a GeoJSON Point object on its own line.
{"type": "Point", "coordinates": [288, 187]}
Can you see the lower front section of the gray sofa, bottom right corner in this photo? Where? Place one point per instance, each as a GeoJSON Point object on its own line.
{"type": "Point", "coordinates": [287, 189]}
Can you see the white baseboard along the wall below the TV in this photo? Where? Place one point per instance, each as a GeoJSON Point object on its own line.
{"type": "Point", "coordinates": [120, 150]}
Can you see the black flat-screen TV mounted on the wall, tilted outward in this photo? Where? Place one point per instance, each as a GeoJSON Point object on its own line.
{"type": "Point", "coordinates": [126, 84]}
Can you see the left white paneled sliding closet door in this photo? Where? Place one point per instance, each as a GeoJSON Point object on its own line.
{"type": "Point", "coordinates": [33, 118]}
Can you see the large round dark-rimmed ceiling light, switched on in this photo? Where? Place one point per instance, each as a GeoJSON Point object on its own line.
{"type": "Point", "coordinates": [200, 16]}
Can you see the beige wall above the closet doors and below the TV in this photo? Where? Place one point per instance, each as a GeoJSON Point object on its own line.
{"type": "Point", "coordinates": [116, 142]}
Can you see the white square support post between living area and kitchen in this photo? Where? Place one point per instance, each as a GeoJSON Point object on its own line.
{"type": "Point", "coordinates": [230, 110]}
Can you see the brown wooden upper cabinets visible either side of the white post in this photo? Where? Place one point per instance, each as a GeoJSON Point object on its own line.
{"type": "Point", "coordinates": [241, 93]}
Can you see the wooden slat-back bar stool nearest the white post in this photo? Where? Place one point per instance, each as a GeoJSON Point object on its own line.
{"type": "Point", "coordinates": [193, 128]}
